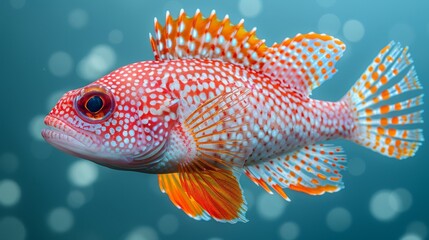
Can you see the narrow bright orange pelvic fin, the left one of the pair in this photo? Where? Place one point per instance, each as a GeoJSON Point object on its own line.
{"type": "Point", "coordinates": [172, 186]}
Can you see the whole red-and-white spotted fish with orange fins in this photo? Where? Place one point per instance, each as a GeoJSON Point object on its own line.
{"type": "Point", "coordinates": [217, 103]}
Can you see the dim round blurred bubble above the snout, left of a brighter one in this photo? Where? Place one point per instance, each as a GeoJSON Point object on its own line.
{"type": "Point", "coordinates": [60, 64]}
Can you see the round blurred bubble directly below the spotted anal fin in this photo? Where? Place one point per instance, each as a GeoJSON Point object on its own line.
{"type": "Point", "coordinates": [269, 206]}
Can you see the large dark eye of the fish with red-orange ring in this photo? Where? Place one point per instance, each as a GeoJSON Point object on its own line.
{"type": "Point", "coordinates": [95, 103]}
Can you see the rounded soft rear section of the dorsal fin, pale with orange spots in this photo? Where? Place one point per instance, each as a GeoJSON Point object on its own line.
{"type": "Point", "coordinates": [305, 61]}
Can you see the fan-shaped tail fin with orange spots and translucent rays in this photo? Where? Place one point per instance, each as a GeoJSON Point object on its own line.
{"type": "Point", "coordinates": [382, 115]}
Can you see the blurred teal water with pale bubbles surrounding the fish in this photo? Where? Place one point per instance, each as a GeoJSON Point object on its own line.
{"type": "Point", "coordinates": [48, 47]}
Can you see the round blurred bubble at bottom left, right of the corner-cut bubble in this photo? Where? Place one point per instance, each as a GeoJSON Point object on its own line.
{"type": "Point", "coordinates": [60, 220]}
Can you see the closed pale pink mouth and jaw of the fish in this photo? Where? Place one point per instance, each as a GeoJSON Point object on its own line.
{"type": "Point", "coordinates": [69, 139]}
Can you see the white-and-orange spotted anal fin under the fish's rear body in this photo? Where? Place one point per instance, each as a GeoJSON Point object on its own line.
{"type": "Point", "coordinates": [313, 169]}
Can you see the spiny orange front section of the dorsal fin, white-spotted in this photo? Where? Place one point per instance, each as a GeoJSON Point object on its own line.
{"type": "Point", "coordinates": [209, 38]}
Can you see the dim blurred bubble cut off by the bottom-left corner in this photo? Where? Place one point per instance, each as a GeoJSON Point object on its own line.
{"type": "Point", "coordinates": [11, 228]}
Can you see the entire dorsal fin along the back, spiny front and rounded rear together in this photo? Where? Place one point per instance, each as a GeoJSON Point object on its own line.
{"type": "Point", "coordinates": [303, 62]}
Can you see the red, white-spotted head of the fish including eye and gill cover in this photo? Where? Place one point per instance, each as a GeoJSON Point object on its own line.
{"type": "Point", "coordinates": [118, 121]}
